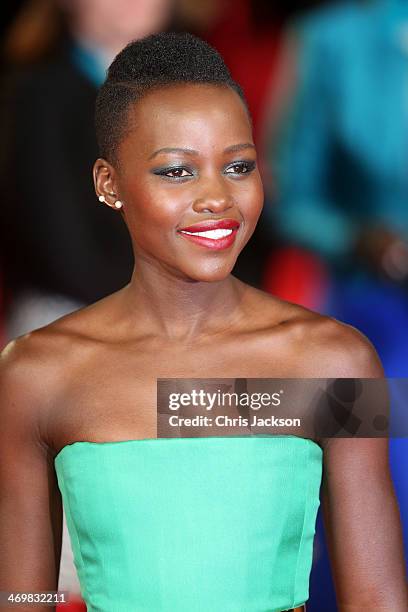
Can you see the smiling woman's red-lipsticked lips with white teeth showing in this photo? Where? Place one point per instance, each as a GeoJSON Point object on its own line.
{"type": "Point", "coordinates": [212, 234]}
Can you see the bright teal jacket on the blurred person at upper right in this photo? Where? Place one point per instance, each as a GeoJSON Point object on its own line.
{"type": "Point", "coordinates": [343, 160]}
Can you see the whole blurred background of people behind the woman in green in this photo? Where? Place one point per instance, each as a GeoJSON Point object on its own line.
{"type": "Point", "coordinates": [327, 85]}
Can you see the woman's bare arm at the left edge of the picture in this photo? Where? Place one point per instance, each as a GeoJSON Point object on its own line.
{"type": "Point", "coordinates": [30, 502]}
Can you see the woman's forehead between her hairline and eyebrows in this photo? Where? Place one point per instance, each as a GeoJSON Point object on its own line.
{"type": "Point", "coordinates": [198, 116]}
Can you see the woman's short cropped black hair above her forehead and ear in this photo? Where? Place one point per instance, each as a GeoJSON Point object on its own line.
{"type": "Point", "coordinates": [153, 62]}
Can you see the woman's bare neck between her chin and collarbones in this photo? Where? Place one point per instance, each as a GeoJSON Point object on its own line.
{"type": "Point", "coordinates": [181, 309]}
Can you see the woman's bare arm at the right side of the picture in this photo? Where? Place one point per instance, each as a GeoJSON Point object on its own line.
{"type": "Point", "coordinates": [360, 509]}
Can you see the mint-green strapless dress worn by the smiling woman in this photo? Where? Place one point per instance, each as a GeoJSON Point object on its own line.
{"type": "Point", "coordinates": [216, 524]}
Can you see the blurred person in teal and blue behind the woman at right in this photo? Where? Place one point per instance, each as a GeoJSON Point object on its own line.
{"type": "Point", "coordinates": [341, 172]}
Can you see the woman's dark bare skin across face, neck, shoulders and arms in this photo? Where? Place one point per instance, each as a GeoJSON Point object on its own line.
{"type": "Point", "coordinates": [91, 376]}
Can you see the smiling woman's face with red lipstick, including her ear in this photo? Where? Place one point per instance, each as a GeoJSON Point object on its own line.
{"type": "Point", "coordinates": [187, 165]}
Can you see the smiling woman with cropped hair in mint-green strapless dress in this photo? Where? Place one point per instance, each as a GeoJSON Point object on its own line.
{"type": "Point", "coordinates": [198, 523]}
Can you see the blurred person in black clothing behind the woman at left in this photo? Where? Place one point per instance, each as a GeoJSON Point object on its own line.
{"type": "Point", "coordinates": [60, 249]}
